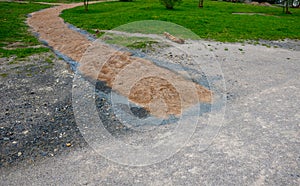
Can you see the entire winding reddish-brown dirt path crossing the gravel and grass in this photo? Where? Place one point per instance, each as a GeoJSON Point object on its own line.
{"type": "Point", "coordinates": [160, 91]}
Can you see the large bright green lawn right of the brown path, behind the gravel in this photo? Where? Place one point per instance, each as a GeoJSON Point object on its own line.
{"type": "Point", "coordinates": [215, 21]}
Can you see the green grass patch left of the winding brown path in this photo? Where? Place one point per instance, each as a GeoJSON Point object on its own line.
{"type": "Point", "coordinates": [14, 32]}
